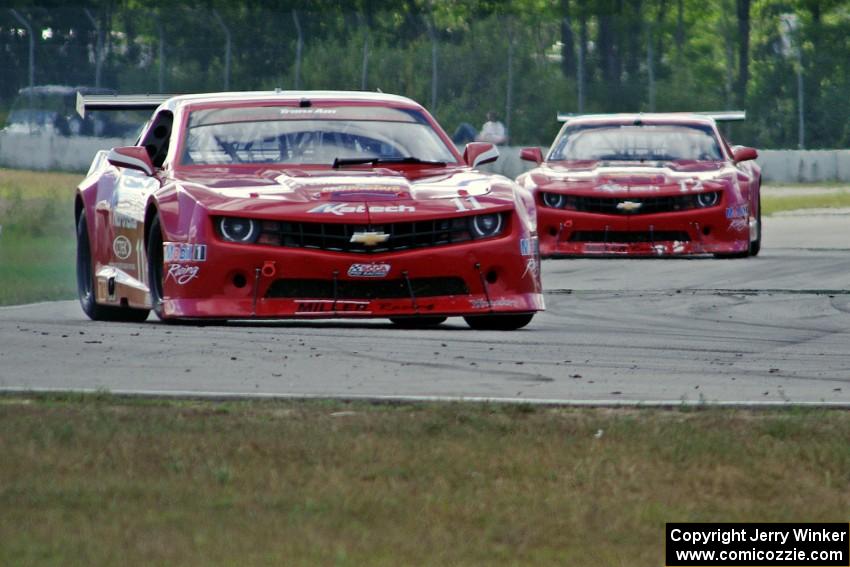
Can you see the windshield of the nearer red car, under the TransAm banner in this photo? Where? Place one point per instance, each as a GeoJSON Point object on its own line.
{"type": "Point", "coordinates": [311, 135]}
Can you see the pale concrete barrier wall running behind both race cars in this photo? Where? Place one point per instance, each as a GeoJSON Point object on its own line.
{"type": "Point", "coordinates": [48, 152]}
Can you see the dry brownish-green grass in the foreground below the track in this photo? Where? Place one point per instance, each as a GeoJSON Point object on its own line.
{"type": "Point", "coordinates": [96, 480]}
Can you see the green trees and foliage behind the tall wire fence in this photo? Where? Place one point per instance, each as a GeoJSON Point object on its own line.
{"type": "Point", "coordinates": [525, 59]}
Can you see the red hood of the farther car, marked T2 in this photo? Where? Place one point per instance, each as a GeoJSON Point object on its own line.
{"type": "Point", "coordinates": [634, 179]}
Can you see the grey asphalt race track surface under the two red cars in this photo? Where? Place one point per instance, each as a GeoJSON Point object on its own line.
{"type": "Point", "coordinates": [768, 330]}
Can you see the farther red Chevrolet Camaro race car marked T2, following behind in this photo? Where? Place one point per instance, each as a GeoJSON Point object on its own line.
{"type": "Point", "coordinates": [646, 184]}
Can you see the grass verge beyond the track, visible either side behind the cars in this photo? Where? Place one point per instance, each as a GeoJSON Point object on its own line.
{"type": "Point", "coordinates": [37, 243]}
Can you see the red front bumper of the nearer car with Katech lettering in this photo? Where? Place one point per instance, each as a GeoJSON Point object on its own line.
{"type": "Point", "coordinates": [251, 281]}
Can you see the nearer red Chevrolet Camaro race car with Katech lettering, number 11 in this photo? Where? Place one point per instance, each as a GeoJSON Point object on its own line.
{"type": "Point", "coordinates": [304, 205]}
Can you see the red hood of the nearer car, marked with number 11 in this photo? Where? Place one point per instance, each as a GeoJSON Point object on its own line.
{"type": "Point", "coordinates": [343, 192]}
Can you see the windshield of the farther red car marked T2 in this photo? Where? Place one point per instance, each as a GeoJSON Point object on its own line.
{"type": "Point", "coordinates": [637, 142]}
